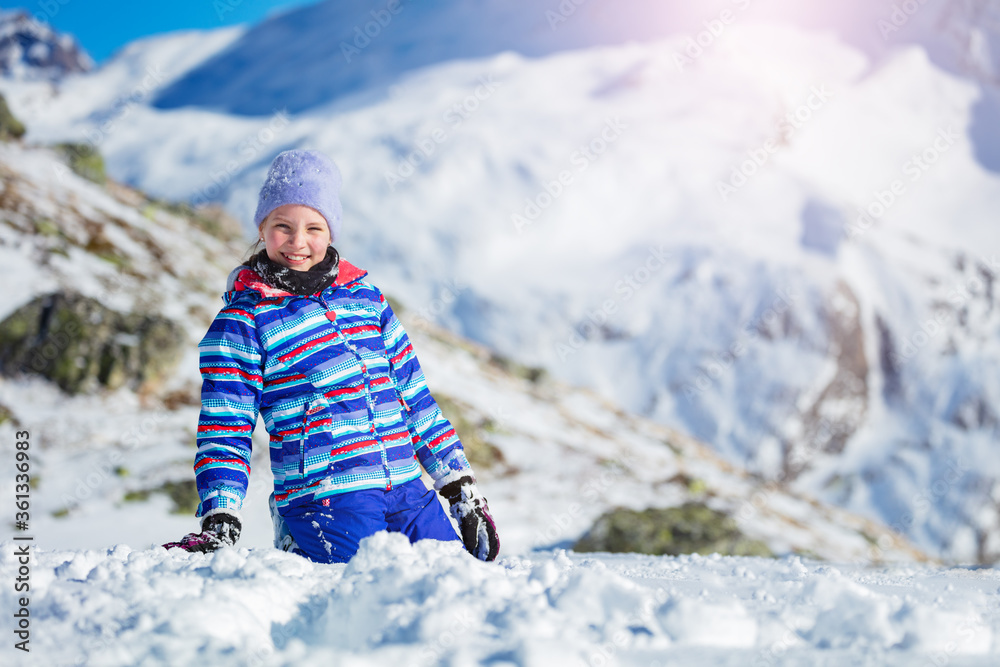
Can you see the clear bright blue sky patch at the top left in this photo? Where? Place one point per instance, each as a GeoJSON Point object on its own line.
{"type": "Point", "coordinates": [102, 26]}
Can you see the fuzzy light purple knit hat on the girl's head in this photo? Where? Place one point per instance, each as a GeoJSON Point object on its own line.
{"type": "Point", "coordinates": [302, 177]}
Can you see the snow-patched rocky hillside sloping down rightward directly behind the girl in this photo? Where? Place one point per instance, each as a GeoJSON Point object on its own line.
{"type": "Point", "coordinates": [97, 463]}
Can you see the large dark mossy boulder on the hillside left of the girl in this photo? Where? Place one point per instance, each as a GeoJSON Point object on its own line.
{"type": "Point", "coordinates": [82, 346]}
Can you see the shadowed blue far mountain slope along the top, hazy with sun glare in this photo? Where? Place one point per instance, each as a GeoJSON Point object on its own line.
{"type": "Point", "coordinates": [328, 50]}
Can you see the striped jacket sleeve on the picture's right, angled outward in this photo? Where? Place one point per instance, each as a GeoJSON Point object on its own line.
{"type": "Point", "coordinates": [437, 446]}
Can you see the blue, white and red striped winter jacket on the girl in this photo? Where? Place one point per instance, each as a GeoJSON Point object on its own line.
{"type": "Point", "coordinates": [337, 383]}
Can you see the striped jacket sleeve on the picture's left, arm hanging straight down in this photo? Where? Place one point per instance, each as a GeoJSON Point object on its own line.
{"type": "Point", "coordinates": [231, 361]}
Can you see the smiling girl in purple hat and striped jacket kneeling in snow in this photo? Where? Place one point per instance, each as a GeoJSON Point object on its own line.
{"type": "Point", "coordinates": [305, 341]}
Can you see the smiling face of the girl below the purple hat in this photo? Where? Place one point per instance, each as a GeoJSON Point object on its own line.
{"type": "Point", "coordinates": [295, 236]}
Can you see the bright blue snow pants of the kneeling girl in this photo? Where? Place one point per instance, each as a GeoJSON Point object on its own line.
{"type": "Point", "coordinates": [329, 530]}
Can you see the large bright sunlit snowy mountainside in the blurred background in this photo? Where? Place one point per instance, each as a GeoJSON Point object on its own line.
{"type": "Point", "coordinates": [765, 319]}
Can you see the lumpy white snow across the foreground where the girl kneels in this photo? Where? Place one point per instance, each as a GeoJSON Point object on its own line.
{"type": "Point", "coordinates": [432, 604]}
